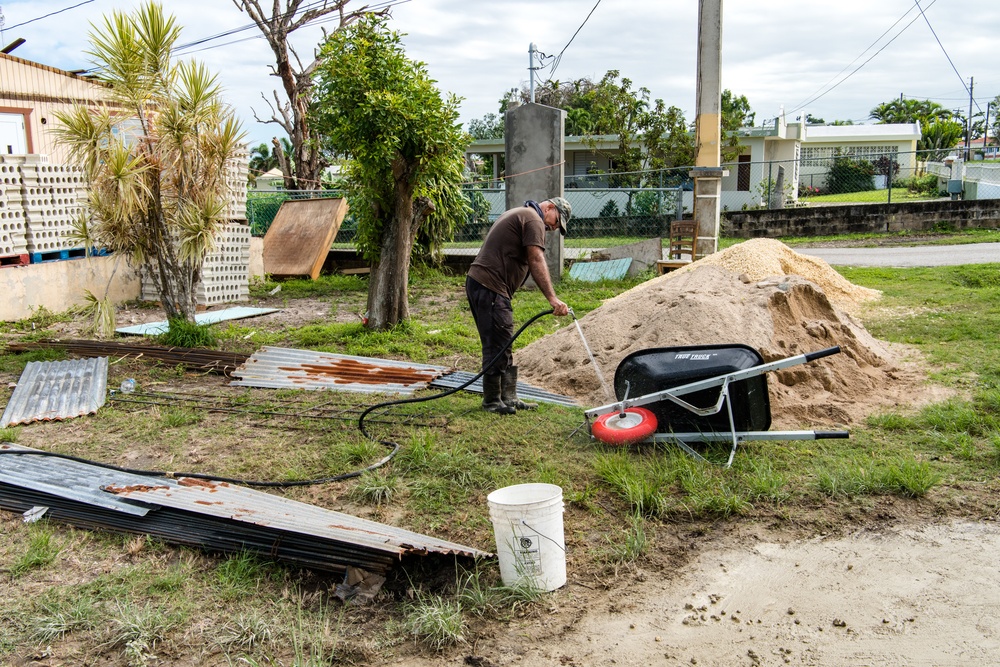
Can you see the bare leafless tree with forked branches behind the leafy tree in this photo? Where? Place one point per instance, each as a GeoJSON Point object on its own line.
{"type": "Point", "coordinates": [303, 168]}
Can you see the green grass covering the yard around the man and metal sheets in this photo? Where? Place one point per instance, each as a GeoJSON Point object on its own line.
{"type": "Point", "coordinates": [118, 600]}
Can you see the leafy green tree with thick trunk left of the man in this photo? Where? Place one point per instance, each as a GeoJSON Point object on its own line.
{"type": "Point", "coordinates": [405, 150]}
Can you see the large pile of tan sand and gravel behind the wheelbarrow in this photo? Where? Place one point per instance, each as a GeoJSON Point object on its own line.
{"type": "Point", "coordinates": [759, 293]}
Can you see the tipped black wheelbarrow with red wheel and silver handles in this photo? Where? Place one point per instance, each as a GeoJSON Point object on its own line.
{"type": "Point", "coordinates": [692, 394]}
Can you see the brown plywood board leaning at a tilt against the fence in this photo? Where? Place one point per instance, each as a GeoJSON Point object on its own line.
{"type": "Point", "coordinates": [298, 241]}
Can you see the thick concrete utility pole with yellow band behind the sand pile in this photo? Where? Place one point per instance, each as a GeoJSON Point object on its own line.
{"type": "Point", "coordinates": [708, 172]}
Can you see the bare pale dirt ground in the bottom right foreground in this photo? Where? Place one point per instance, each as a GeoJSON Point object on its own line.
{"type": "Point", "coordinates": [920, 594]}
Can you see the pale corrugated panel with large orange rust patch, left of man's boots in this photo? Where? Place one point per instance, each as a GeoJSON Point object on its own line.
{"type": "Point", "coordinates": [283, 368]}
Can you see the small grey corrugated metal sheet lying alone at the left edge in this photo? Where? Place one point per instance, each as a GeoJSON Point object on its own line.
{"type": "Point", "coordinates": [49, 390]}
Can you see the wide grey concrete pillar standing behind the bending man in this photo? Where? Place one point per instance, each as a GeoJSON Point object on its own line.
{"type": "Point", "coordinates": [534, 137]}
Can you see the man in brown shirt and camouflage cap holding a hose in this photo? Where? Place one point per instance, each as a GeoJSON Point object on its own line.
{"type": "Point", "coordinates": [514, 246]}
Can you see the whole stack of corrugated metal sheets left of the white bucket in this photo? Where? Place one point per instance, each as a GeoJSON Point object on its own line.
{"type": "Point", "coordinates": [210, 515]}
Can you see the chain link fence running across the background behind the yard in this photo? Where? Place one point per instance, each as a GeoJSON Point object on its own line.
{"type": "Point", "coordinates": [621, 207]}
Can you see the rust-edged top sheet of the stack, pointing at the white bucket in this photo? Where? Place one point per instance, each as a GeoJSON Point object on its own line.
{"type": "Point", "coordinates": [236, 503]}
